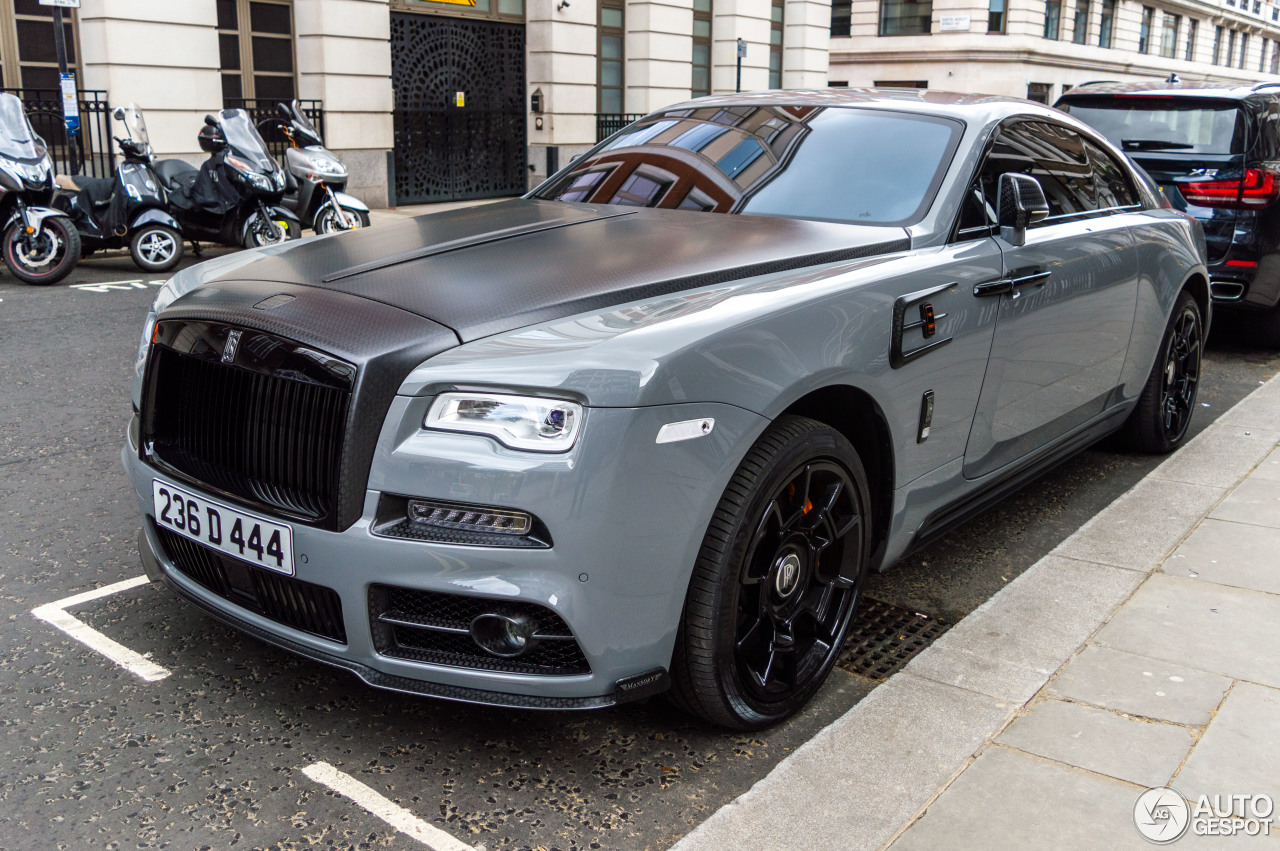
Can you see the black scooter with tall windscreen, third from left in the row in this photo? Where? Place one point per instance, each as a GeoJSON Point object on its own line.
{"type": "Point", "coordinates": [234, 199]}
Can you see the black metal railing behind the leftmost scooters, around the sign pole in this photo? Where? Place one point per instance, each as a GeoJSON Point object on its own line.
{"type": "Point", "coordinates": [92, 152]}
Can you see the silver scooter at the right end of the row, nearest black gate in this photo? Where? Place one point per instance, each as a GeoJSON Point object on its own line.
{"type": "Point", "coordinates": [316, 179]}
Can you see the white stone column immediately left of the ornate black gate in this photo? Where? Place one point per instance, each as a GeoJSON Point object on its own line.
{"type": "Point", "coordinates": [345, 61]}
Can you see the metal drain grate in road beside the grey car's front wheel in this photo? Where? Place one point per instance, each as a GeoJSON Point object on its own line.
{"type": "Point", "coordinates": [884, 638]}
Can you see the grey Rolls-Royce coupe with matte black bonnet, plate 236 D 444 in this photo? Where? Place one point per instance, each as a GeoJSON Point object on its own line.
{"type": "Point", "coordinates": [648, 428]}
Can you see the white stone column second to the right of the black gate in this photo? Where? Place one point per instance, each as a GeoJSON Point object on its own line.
{"type": "Point", "coordinates": [660, 52]}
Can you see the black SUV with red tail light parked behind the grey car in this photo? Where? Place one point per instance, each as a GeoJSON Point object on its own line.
{"type": "Point", "coordinates": [1215, 152]}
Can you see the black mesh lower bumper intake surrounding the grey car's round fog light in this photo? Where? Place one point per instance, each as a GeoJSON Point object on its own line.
{"type": "Point", "coordinates": [428, 626]}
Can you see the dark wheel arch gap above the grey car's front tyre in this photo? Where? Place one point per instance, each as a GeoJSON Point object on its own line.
{"type": "Point", "coordinates": [860, 419]}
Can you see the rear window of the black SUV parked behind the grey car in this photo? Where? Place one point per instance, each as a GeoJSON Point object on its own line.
{"type": "Point", "coordinates": [1141, 123]}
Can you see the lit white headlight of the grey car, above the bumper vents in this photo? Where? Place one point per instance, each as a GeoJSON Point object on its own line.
{"type": "Point", "coordinates": [515, 422]}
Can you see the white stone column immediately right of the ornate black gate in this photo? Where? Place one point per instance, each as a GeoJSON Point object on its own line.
{"type": "Point", "coordinates": [561, 53]}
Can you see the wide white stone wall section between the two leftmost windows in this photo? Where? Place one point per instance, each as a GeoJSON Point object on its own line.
{"type": "Point", "coordinates": [161, 56]}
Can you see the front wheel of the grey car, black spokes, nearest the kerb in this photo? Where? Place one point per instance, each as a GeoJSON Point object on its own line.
{"type": "Point", "coordinates": [778, 579]}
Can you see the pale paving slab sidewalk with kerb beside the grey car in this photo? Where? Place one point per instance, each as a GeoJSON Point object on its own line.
{"type": "Point", "coordinates": [1145, 651]}
